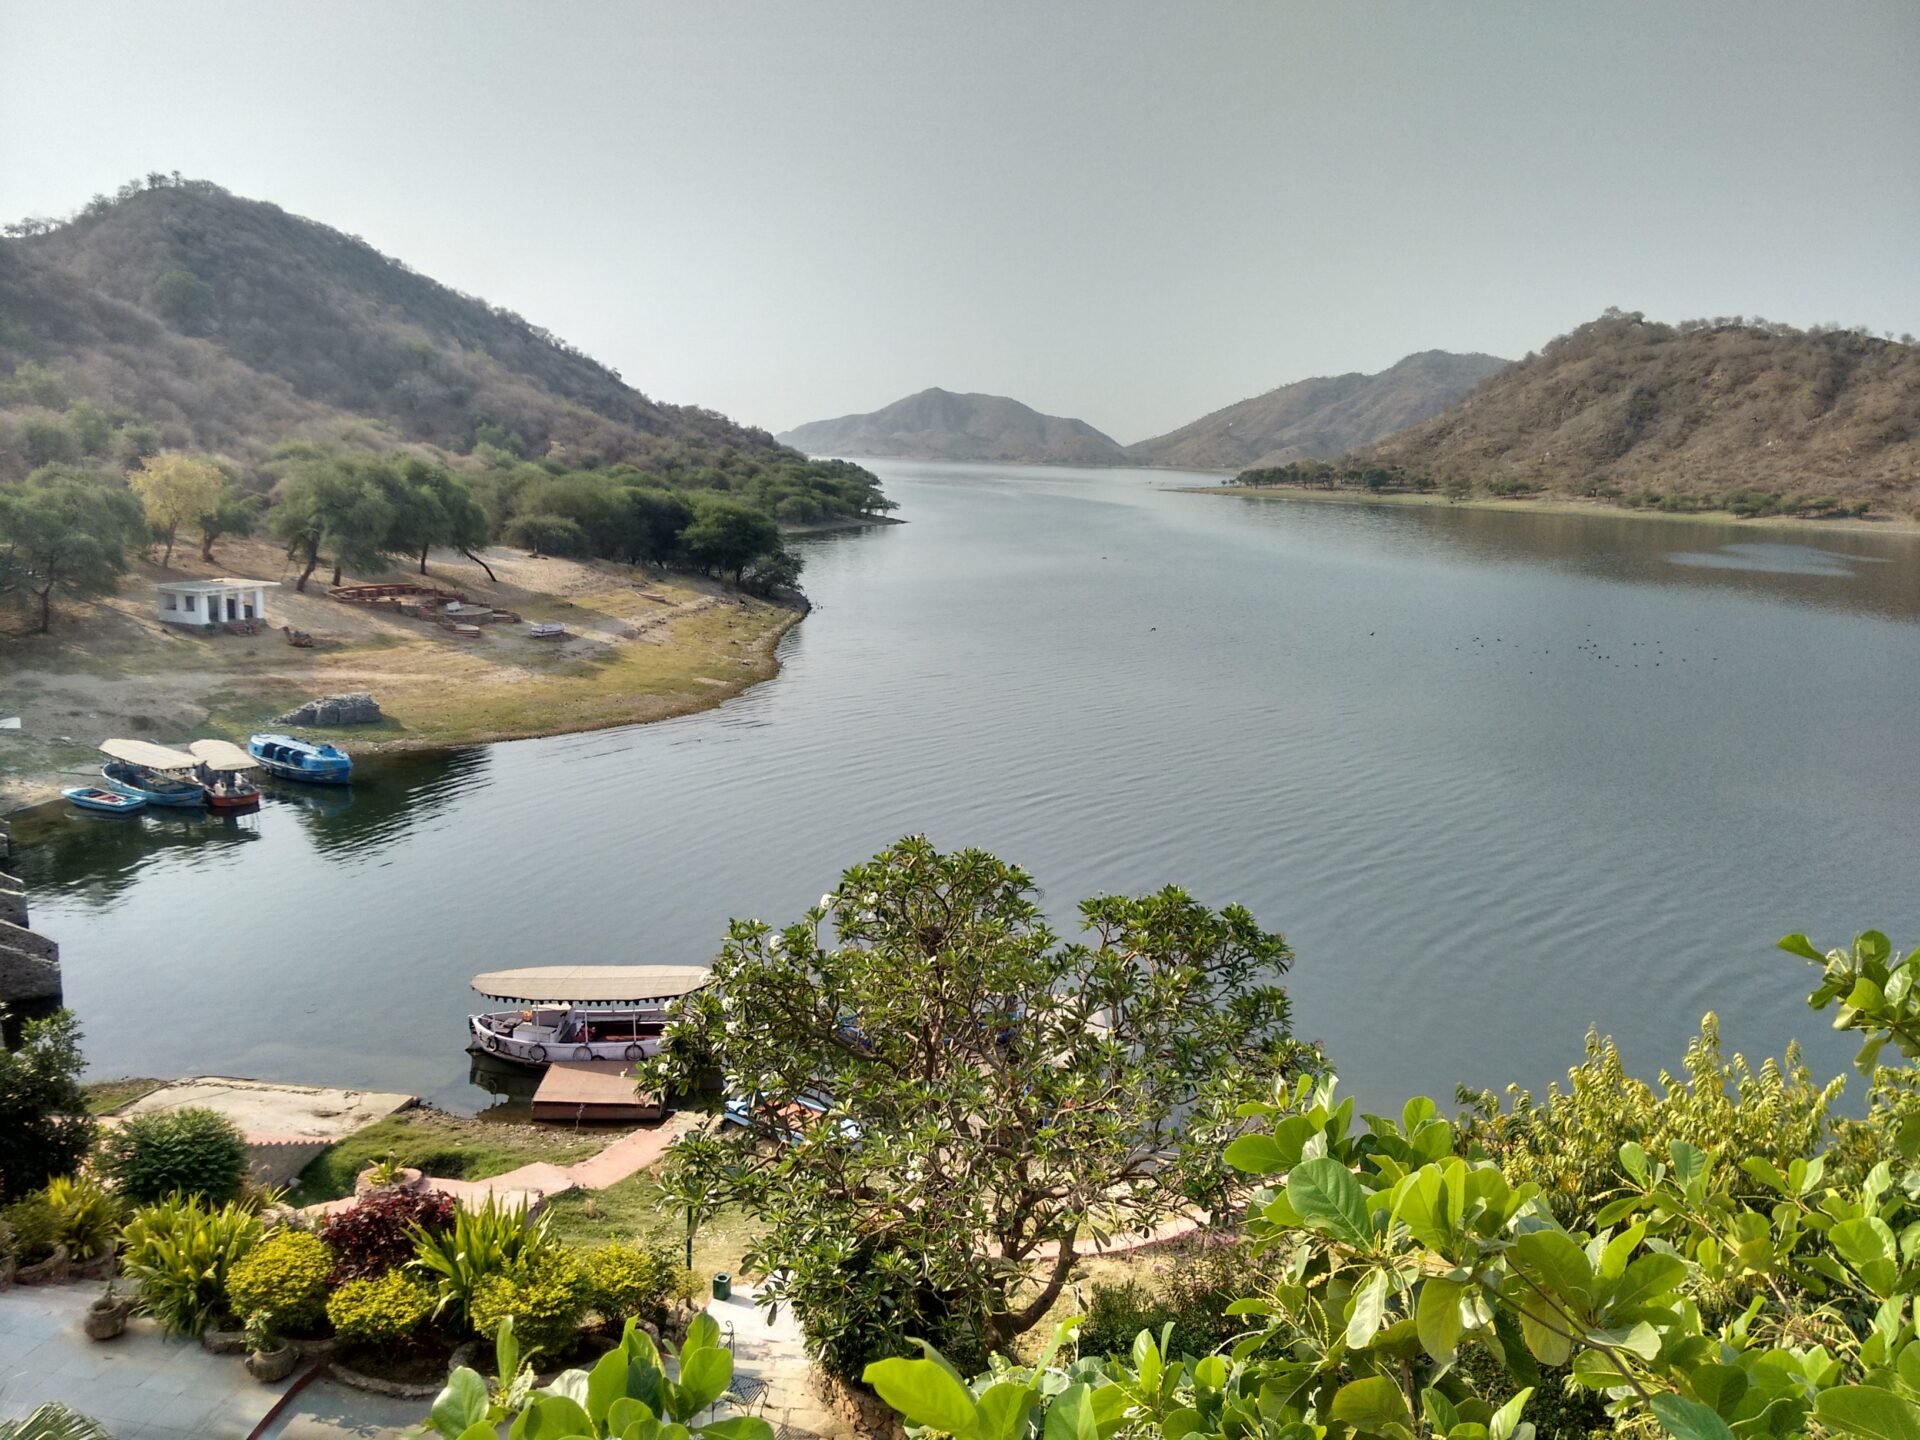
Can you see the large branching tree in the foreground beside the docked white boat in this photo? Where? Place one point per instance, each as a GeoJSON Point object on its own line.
{"type": "Point", "coordinates": [990, 1092]}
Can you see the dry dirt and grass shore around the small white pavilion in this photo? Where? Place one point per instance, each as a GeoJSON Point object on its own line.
{"type": "Point", "coordinates": [640, 648]}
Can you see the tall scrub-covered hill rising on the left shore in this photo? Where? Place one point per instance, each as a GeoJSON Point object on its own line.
{"type": "Point", "coordinates": [231, 325]}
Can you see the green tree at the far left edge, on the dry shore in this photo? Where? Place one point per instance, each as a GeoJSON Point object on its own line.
{"type": "Point", "coordinates": [64, 531]}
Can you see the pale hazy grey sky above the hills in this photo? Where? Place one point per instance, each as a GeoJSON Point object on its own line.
{"type": "Point", "coordinates": [1124, 212]}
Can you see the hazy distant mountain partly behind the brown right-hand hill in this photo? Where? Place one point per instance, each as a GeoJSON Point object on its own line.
{"type": "Point", "coordinates": [1322, 418]}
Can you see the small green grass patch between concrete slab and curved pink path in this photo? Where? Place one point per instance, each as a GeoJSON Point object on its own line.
{"type": "Point", "coordinates": [450, 1147]}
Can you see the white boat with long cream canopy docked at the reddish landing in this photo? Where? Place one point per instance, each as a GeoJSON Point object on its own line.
{"type": "Point", "coordinates": [579, 1013]}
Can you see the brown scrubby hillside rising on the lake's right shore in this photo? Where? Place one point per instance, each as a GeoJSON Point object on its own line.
{"type": "Point", "coordinates": [1639, 410]}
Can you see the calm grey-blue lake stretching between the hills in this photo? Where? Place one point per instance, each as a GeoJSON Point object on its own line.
{"type": "Point", "coordinates": [1499, 777]}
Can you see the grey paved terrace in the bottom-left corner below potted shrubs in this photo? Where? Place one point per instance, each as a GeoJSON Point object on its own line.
{"type": "Point", "coordinates": [147, 1387]}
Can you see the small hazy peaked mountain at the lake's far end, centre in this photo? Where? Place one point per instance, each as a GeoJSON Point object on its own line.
{"type": "Point", "coordinates": [938, 425]}
